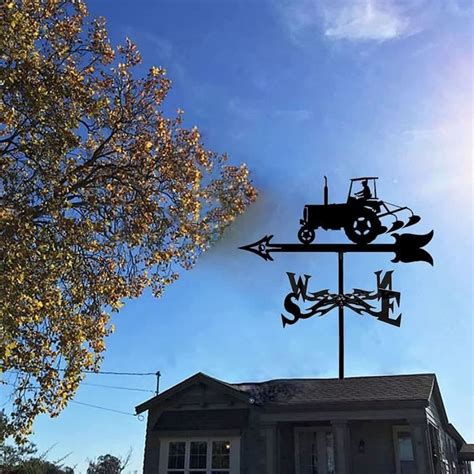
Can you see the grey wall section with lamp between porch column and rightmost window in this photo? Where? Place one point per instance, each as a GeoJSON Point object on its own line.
{"type": "Point", "coordinates": [378, 455]}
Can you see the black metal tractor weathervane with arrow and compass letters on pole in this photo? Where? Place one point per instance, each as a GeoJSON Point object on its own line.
{"type": "Point", "coordinates": [361, 218]}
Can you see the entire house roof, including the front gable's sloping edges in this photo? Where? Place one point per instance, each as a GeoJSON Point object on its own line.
{"type": "Point", "coordinates": [292, 392]}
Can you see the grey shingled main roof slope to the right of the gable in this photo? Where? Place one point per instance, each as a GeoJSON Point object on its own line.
{"type": "Point", "coordinates": [351, 389]}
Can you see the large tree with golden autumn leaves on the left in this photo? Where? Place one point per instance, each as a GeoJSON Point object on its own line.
{"type": "Point", "coordinates": [101, 196]}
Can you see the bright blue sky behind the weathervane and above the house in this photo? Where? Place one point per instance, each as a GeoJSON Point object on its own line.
{"type": "Point", "coordinates": [297, 90]}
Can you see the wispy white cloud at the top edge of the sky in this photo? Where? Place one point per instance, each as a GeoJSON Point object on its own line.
{"type": "Point", "coordinates": [355, 20]}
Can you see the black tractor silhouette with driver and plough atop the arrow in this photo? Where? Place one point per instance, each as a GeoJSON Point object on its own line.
{"type": "Point", "coordinates": [360, 217]}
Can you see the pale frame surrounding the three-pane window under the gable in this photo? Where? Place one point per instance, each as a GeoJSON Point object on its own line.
{"type": "Point", "coordinates": [234, 461]}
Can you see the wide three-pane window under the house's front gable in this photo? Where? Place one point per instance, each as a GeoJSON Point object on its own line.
{"type": "Point", "coordinates": [200, 456]}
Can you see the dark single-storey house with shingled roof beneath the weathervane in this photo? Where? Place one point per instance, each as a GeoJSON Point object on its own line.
{"type": "Point", "coordinates": [359, 425]}
